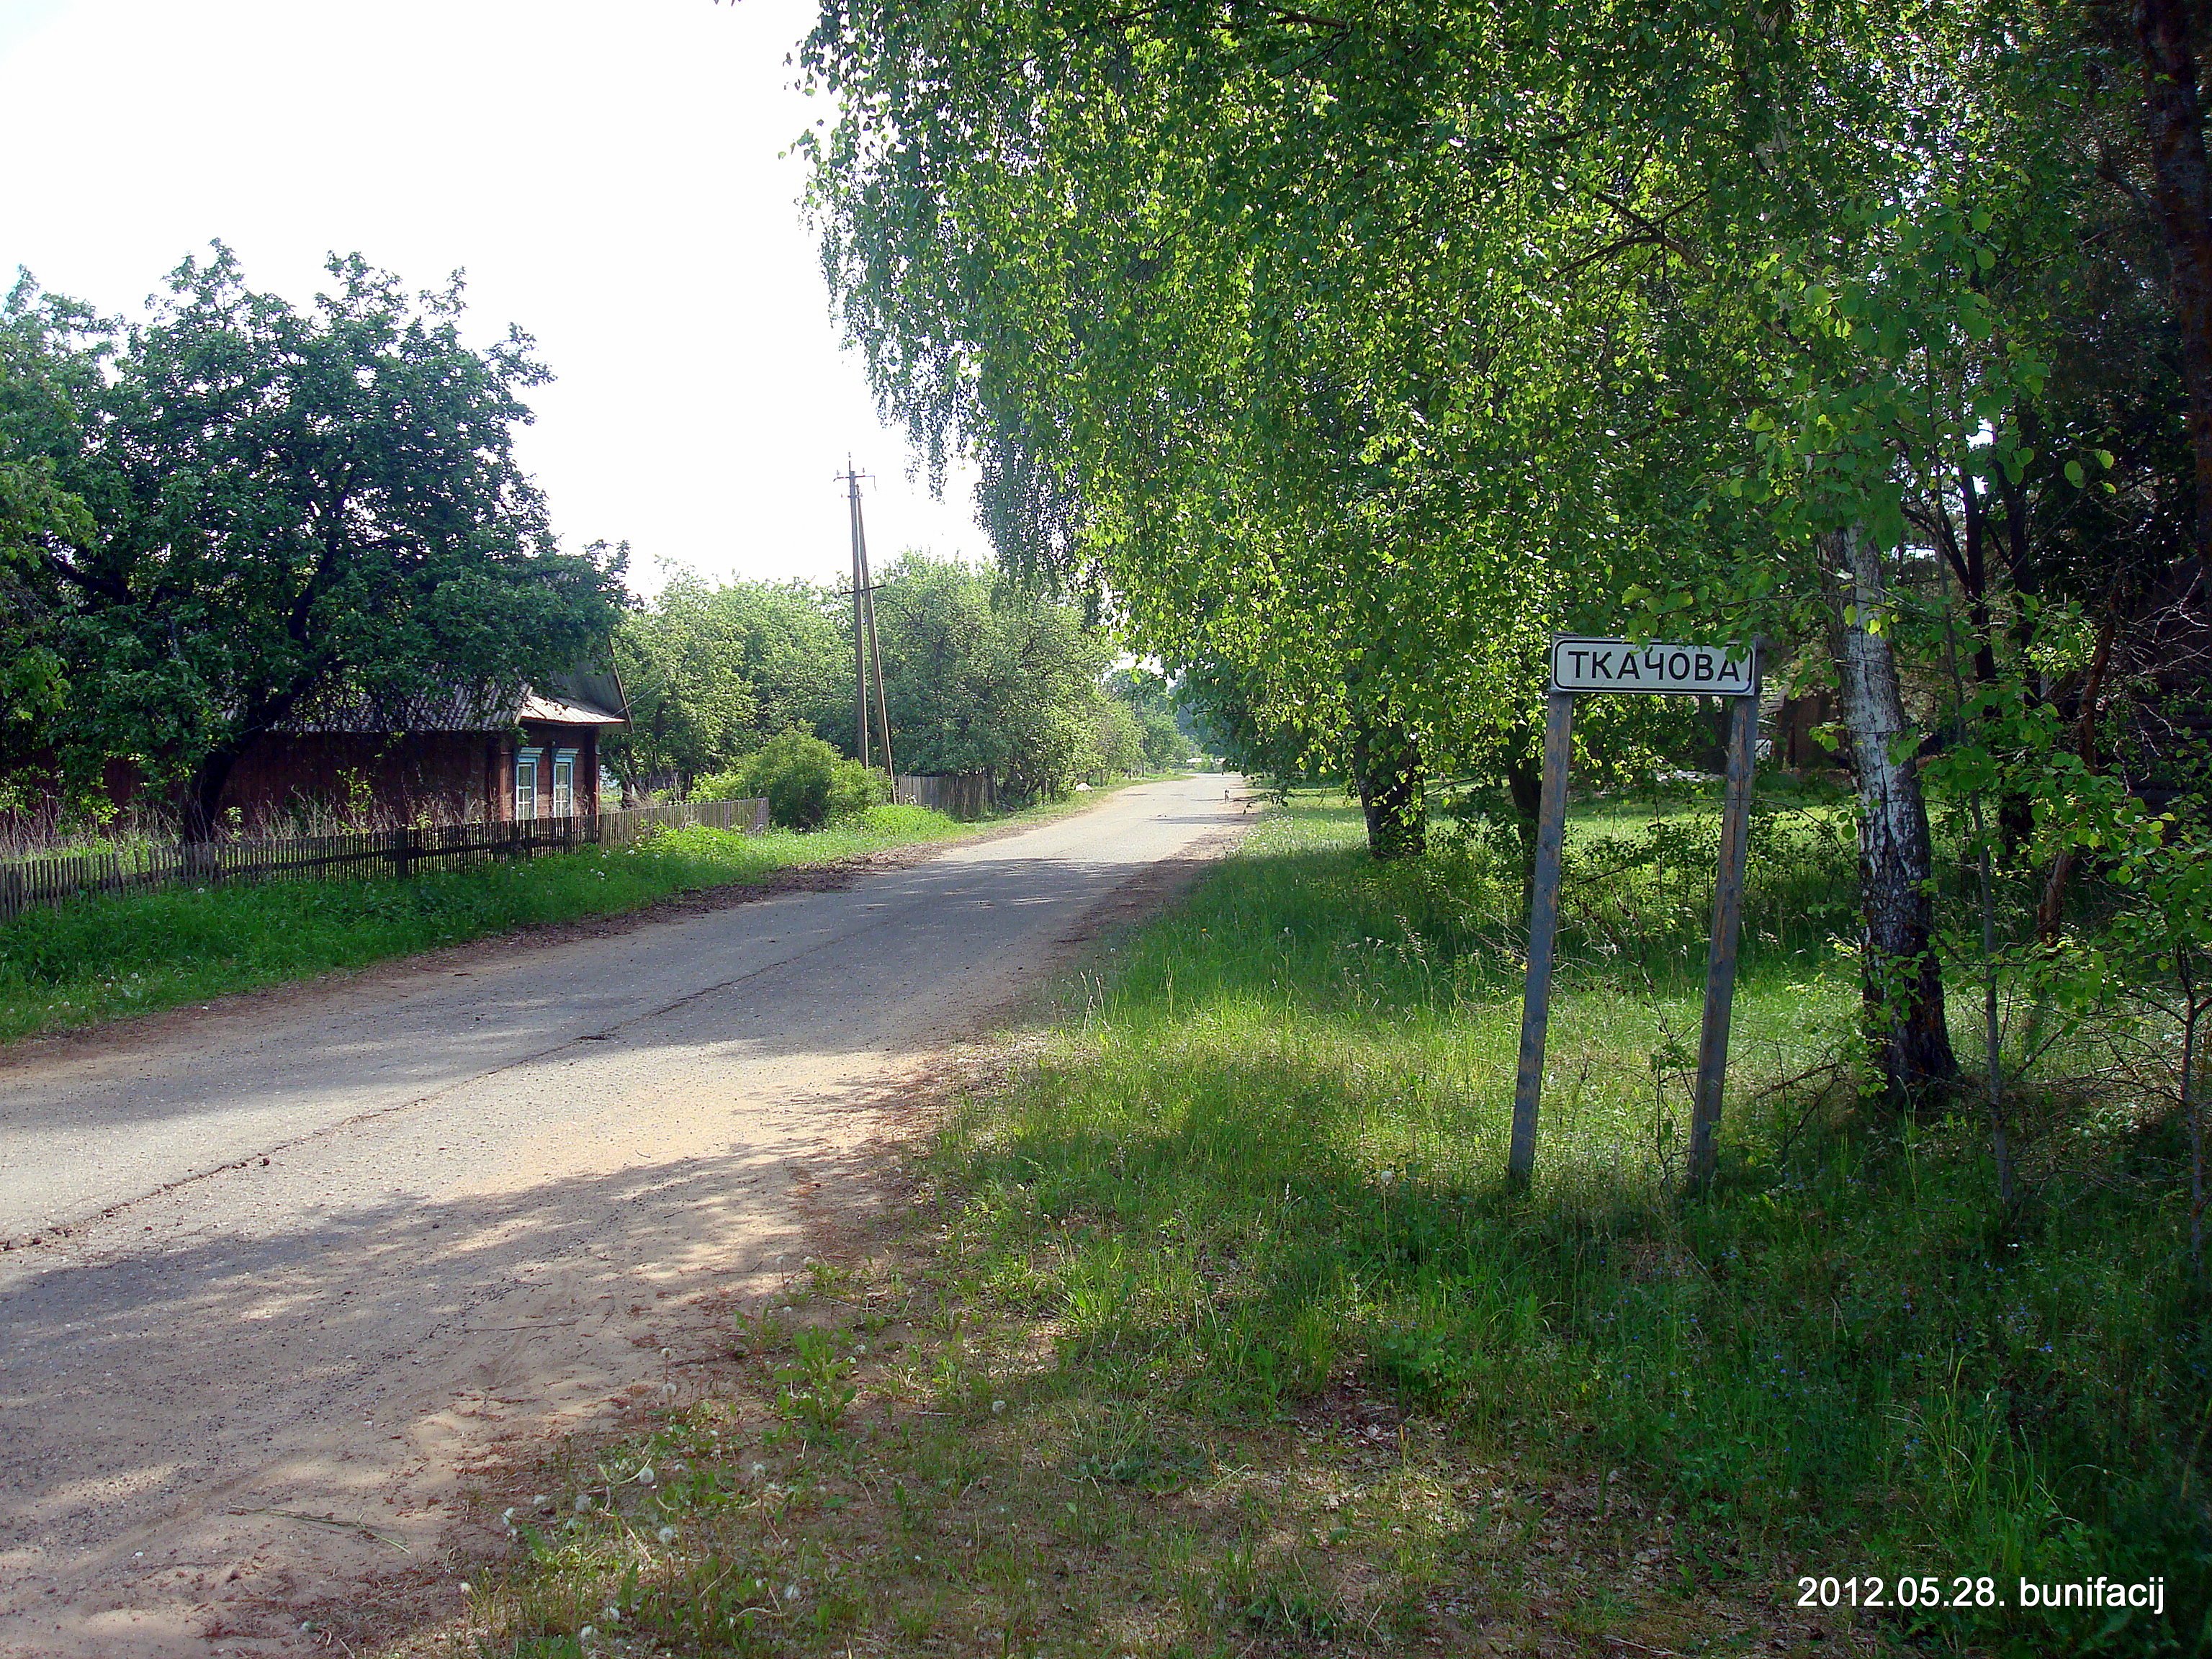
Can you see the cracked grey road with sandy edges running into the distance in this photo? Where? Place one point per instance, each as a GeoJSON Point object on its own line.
{"type": "Point", "coordinates": [302, 1264]}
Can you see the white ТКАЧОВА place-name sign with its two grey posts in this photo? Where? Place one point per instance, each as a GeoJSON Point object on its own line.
{"type": "Point", "coordinates": [1578, 669]}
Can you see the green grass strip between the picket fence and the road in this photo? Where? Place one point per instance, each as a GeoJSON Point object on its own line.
{"type": "Point", "coordinates": [101, 959]}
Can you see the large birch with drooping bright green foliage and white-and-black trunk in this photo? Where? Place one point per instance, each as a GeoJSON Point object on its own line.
{"type": "Point", "coordinates": [1364, 348]}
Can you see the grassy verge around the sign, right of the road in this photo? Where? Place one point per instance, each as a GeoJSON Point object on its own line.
{"type": "Point", "coordinates": [1246, 1191]}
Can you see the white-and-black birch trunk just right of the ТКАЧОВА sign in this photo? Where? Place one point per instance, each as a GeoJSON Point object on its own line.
{"type": "Point", "coordinates": [1903, 983]}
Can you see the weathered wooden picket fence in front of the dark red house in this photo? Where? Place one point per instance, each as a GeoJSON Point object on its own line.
{"type": "Point", "coordinates": [50, 879]}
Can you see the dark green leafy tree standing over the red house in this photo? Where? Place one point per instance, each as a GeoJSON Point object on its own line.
{"type": "Point", "coordinates": [289, 512]}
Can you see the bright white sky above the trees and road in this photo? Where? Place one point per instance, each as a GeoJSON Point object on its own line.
{"type": "Point", "coordinates": [607, 176]}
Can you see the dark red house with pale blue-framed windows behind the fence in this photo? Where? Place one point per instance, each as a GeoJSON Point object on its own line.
{"type": "Point", "coordinates": [450, 760]}
